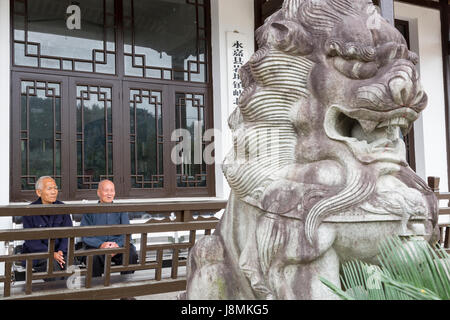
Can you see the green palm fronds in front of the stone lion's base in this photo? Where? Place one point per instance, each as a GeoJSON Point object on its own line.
{"type": "Point", "coordinates": [409, 270]}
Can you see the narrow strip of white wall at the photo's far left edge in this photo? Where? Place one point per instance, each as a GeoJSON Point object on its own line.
{"type": "Point", "coordinates": [5, 223]}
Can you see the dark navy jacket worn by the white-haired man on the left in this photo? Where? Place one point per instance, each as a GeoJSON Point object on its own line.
{"type": "Point", "coordinates": [46, 221]}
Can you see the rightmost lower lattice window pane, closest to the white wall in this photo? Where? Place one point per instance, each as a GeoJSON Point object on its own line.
{"type": "Point", "coordinates": [190, 115]}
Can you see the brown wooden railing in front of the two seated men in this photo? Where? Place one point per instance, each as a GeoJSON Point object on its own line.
{"type": "Point", "coordinates": [179, 216]}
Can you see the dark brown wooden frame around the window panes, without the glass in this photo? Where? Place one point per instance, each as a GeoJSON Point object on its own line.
{"type": "Point", "coordinates": [120, 84]}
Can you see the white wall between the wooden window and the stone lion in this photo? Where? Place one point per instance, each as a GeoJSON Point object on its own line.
{"type": "Point", "coordinates": [226, 16]}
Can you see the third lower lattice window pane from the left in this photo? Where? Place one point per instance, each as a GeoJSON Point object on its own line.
{"type": "Point", "coordinates": [146, 139]}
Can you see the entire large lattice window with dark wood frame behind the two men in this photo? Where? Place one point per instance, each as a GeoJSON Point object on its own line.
{"type": "Point", "coordinates": [102, 101]}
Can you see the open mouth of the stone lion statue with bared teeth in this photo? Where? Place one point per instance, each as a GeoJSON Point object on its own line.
{"type": "Point", "coordinates": [379, 139]}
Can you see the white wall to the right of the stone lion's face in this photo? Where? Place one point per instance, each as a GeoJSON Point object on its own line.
{"type": "Point", "coordinates": [430, 132]}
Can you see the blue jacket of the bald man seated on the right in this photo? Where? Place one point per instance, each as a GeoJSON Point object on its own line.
{"type": "Point", "coordinates": [99, 219]}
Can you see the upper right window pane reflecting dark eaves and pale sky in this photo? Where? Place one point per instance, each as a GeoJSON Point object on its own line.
{"type": "Point", "coordinates": [165, 39]}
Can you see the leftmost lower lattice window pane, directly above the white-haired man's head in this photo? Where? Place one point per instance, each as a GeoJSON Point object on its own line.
{"type": "Point", "coordinates": [40, 132]}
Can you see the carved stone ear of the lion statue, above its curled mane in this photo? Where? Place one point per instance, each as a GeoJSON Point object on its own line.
{"type": "Point", "coordinates": [291, 37]}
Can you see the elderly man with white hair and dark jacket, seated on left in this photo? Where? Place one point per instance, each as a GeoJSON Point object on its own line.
{"type": "Point", "coordinates": [47, 191]}
